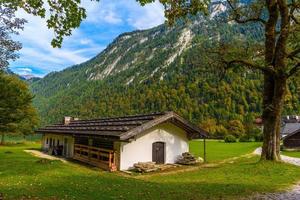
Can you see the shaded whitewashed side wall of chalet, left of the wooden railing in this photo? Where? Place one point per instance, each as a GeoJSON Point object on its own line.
{"type": "Point", "coordinates": [61, 138]}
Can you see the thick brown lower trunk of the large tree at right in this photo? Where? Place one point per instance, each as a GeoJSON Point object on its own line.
{"type": "Point", "coordinates": [274, 94]}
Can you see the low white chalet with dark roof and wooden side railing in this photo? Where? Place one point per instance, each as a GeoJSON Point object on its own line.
{"type": "Point", "coordinates": [119, 142]}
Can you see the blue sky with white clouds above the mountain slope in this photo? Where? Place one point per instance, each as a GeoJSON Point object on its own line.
{"type": "Point", "coordinates": [105, 21]}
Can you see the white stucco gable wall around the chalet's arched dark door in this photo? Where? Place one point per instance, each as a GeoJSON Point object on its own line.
{"type": "Point", "coordinates": [140, 150]}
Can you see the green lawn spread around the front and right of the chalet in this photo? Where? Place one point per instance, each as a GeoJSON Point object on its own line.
{"type": "Point", "coordinates": [22, 176]}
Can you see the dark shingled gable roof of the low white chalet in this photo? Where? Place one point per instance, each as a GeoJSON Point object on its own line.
{"type": "Point", "coordinates": [122, 128]}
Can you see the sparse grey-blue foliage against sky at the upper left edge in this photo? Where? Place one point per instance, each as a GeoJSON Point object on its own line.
{"type": "Point", "coordinates": [9, 24]}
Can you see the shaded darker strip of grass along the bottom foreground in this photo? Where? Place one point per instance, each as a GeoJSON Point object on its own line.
{"type": "Point", "coordinates": [112, 187]}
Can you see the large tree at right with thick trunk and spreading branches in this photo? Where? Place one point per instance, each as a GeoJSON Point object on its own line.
{"type": "Point", "coordinates": [277, 57]}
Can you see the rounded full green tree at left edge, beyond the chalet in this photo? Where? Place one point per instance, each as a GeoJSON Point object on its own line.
{"type": "Point", "coordinates": [16, 112]}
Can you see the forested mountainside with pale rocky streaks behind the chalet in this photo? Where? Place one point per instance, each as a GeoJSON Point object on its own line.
{"type": "Point", "coordinates": [160, 69]}
